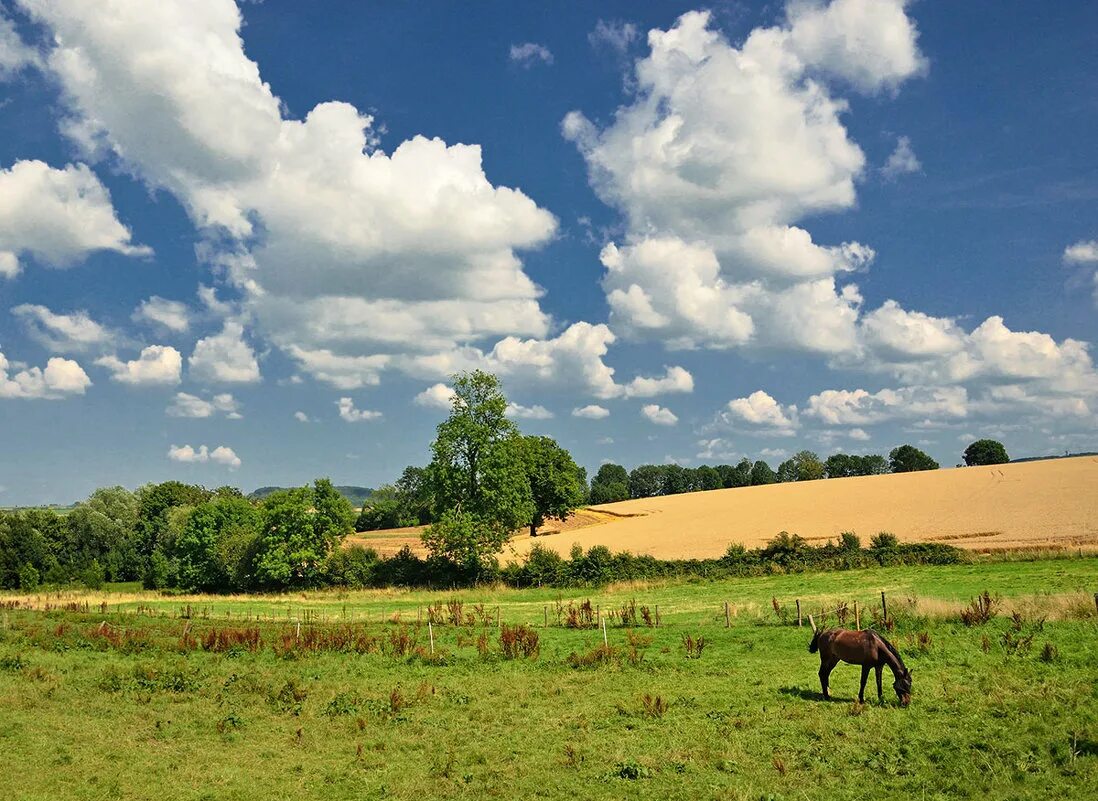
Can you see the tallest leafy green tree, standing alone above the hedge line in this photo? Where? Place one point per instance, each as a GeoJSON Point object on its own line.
{"type": "Point", "coordinates": [477, 475]}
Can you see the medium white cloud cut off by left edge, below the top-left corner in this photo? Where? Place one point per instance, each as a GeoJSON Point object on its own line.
{"type": "Point", "coordinates": [59, 217]}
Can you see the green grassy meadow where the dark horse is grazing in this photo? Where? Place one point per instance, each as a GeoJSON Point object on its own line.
{"type": "Point", "coordinates": [81, 719]}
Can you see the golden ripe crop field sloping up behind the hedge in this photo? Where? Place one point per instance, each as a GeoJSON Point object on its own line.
{"type": "Point", "coordinates": [1048, 504]}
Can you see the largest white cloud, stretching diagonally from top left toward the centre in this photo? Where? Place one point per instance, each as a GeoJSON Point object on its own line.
{"type": "Point", "coordinates": [362, 252]}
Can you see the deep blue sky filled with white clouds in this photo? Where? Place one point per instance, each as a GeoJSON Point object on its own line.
{"type": "Point", "coordinates": [251, 244]}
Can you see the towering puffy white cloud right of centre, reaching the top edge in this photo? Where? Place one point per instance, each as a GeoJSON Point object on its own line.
{"type": "Point", "coordinates": [722, 153]}
